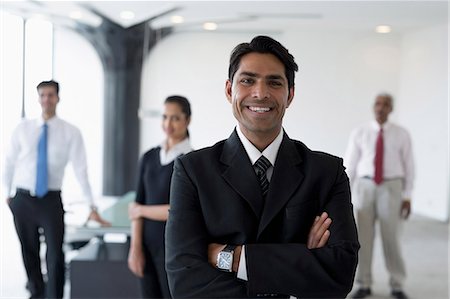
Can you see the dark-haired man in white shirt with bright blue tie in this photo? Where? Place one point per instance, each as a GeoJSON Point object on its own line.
{"type": "Point", "coordinates": [35, 162]}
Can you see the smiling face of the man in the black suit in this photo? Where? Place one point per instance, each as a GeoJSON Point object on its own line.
{"type": "Point", "coordinates": [259, 94]}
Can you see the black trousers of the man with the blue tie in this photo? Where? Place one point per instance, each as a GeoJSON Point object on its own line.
{"type": "Point", "coordinates": [31, 213]}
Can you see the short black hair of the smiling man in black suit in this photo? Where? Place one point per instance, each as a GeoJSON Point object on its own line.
{"type": "Point", "coordinates": [265, 45]}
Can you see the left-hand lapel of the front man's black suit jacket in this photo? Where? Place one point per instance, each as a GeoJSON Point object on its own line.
{"type": "Point", "coordinates": [240, 174]}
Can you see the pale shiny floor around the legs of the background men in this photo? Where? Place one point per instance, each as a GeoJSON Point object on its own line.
{"type": "Point", "coordinates": [425, 248]}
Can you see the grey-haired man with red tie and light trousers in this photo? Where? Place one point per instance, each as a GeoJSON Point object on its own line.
{"type": "Point", "coordinates": [380, 166]}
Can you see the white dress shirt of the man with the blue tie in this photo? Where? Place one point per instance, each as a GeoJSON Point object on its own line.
{"type": "Point", "coordinates": [64, 144]}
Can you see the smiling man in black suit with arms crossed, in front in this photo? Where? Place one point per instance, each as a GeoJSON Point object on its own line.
{"type": "Point", "coordinates": [260, 214]}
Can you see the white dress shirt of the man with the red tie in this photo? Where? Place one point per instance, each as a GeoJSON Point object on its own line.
{"type": "Point", "coordinates": [397, 157]}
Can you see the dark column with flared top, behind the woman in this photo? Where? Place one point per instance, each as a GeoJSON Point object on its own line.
{"type": "Point", "coordinates": [122, 51]}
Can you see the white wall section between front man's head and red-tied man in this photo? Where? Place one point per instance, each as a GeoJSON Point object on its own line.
{"type": "Point", "coordinates": [338, 77]}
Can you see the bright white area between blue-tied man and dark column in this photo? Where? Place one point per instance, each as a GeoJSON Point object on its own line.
{"type": "Point", "coordinates": [78, 69]}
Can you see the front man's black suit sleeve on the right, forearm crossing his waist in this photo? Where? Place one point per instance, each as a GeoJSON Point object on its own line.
{"type": "Point", "coordinates": [327, 272]}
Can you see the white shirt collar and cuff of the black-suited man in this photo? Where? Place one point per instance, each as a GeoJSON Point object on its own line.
{"type": "Point", "coordinates": [254, 154]}
